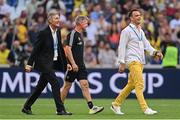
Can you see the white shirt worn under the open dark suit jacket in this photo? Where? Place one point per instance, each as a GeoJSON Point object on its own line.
{"type": "Point", "coordinates": [55, 43]}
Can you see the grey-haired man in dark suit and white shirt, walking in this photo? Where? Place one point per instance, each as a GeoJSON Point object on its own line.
{"type": "Point", "coordinates": [47, 56]}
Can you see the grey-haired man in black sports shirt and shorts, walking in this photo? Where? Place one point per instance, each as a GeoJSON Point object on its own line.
{"type": "Point", "coordinates": [74, 49]}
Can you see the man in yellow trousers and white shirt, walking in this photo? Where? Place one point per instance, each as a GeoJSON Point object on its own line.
{"type": "Point", "coordinates": [132, 45]}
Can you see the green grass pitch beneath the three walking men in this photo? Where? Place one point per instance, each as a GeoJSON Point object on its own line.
{"type": "Point", "coordinates": [45, 109]}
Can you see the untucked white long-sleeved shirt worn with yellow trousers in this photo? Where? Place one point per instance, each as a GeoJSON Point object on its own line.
{"type": "Point", "coordinates": [132, 44]}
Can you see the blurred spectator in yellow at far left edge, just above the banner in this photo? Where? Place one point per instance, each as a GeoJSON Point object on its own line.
{"type": "Point", "coordinates": [4, 52]}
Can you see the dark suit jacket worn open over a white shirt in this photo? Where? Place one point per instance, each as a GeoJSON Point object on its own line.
{"type": "Point", "coordinates": [43, 52]}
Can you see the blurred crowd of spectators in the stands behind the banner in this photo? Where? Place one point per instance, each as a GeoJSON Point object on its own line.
{"type": "Point", "coordinates": [20, 21]}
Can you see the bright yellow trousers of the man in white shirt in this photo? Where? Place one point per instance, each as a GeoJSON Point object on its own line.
{"type": "Point", "coordinates": [135, 81]}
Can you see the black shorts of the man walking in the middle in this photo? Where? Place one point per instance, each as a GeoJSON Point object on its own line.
{"type": "Point", "coordinates": [80, 75]}
